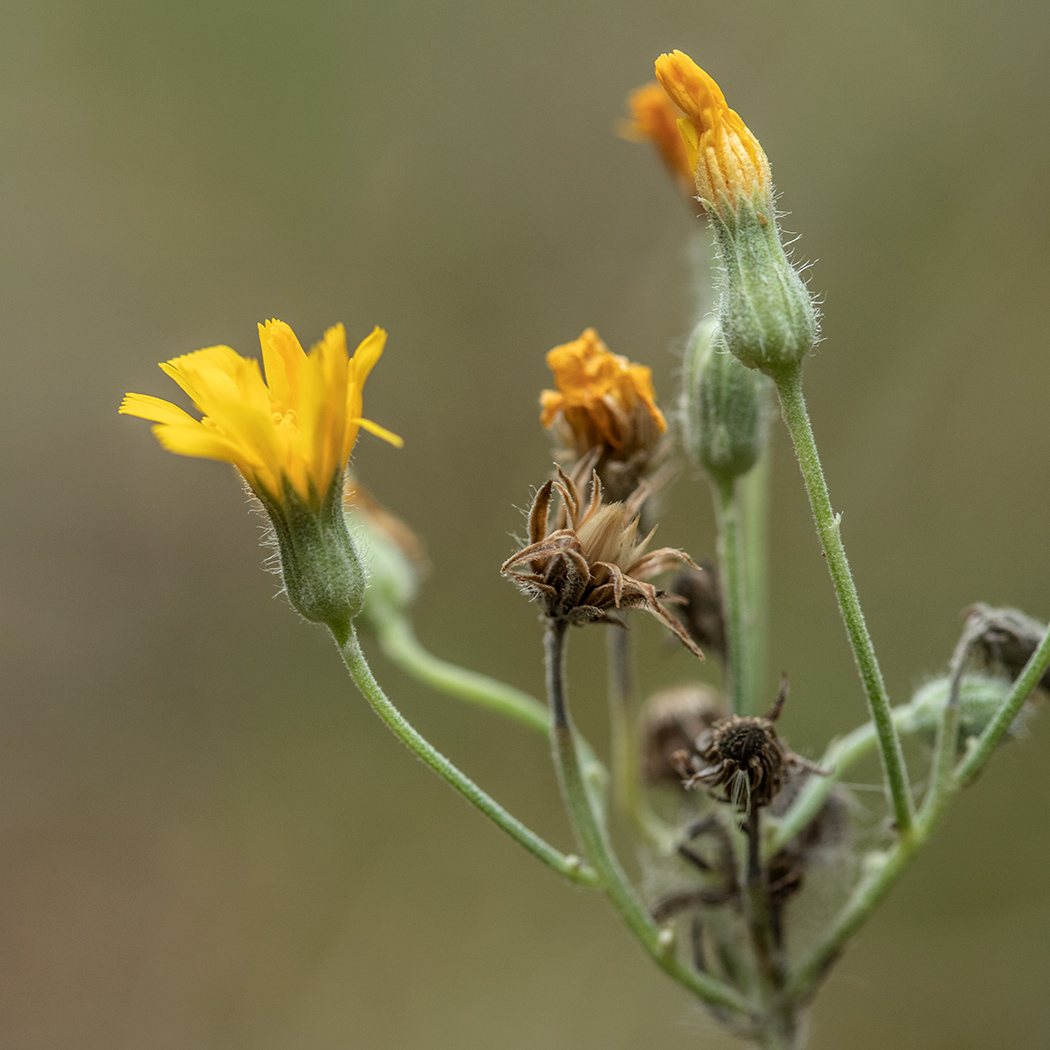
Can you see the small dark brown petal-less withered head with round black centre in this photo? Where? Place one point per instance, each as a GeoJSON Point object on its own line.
{"type": "Point", "coordinates": [742, 761]}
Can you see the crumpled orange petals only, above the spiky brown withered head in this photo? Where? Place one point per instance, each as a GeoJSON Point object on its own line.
{"type": "Point", "coordinates": [598, 392]}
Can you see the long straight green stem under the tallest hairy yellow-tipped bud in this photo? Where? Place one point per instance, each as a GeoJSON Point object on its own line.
{"type": "Point", "coordinates": [789, 386]}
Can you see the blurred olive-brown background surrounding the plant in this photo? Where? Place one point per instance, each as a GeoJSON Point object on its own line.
{"type": "Point", "coordinates": [208, 839]}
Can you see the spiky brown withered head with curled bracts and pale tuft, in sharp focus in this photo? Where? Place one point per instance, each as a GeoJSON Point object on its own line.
{"type": "Point", "coordinates": [593, 565]}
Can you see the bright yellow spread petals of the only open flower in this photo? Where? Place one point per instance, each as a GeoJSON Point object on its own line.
{"type": "Point", "coordinates": [300, 425]}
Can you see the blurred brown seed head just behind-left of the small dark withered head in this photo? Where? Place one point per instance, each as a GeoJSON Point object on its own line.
{"type": "Point", "coordinates": [673, 721]}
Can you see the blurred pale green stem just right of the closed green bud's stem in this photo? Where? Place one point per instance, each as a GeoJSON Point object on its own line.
{"type": "Point", "coordinates": [755, 514]}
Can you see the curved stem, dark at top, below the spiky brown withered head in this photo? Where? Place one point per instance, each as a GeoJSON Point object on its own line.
{"type": "Point", "coordinates": [595, 843]}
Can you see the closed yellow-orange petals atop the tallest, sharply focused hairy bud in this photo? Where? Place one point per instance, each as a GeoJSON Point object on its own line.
{"type": "Point", "coordinates": [726, 158]}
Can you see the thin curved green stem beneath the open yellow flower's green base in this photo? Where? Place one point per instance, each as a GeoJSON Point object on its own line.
{"type": "Point", "coordinates": [568, 866]}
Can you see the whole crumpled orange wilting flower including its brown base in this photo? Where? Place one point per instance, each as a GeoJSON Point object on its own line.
{"type": "Point", "coordinates": [604, 408]}
